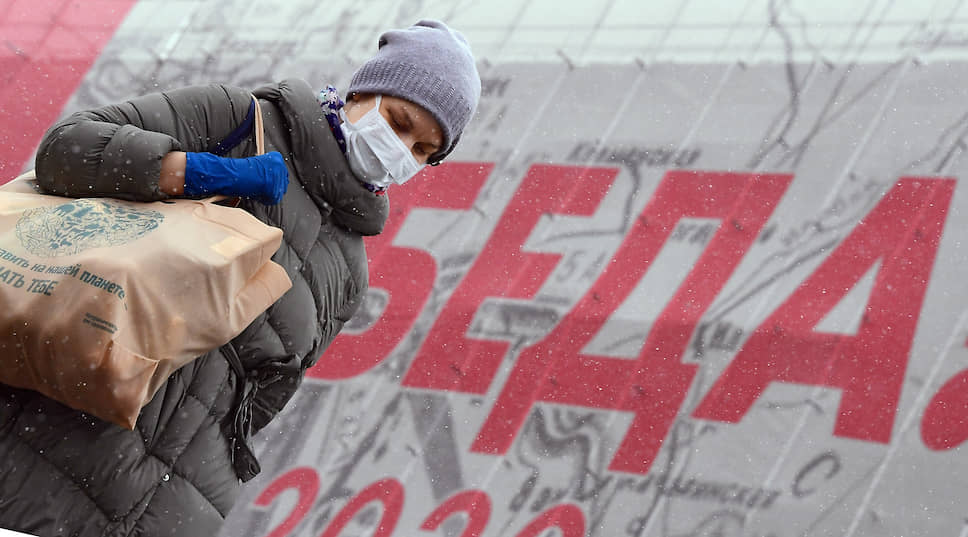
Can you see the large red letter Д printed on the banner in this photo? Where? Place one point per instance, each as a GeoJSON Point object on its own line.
{"type": "Point", "coordinates": [653, 385]}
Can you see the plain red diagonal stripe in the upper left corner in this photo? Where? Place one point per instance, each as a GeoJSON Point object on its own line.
{"type": "Point", "coordinates": [46, 48]}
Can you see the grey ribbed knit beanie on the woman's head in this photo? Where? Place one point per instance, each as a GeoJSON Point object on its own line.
{"type": "Point", "coordinates": [428, 64]}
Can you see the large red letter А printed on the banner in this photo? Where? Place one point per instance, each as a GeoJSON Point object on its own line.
{"type": "Point", "coordinates": [902, 232]}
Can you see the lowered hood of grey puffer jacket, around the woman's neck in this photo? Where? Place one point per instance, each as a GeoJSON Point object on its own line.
{"type": "Point", "coordinates": [320, 163]}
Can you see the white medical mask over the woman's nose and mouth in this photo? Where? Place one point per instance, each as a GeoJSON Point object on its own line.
{"type": "Point", "coordinates": [375, 153]}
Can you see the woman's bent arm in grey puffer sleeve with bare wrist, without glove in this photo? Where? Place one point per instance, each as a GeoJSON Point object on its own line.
{"type": "Point", "coordinates": [136, 149]}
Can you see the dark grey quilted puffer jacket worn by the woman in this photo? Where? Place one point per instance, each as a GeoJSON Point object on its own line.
{"type": "Point", "coordinates": [63, 472]}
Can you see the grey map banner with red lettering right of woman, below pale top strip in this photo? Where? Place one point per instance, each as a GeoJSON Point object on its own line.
{"type": "Point", "coordinates": [675, 301]}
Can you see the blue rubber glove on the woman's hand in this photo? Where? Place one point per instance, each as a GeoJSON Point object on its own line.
{"type": "Point", "coordinates": [263, 177]}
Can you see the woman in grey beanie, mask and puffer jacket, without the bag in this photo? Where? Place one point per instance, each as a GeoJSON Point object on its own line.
{"type": "Point", "coordinates": [323, 182]}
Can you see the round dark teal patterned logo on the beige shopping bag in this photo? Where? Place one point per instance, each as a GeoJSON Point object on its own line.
{"type": "Point", "coordinates": [82, 224]}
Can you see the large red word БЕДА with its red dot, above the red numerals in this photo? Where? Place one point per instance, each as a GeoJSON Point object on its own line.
{"type": "Point", "coordinates": [901, 234]}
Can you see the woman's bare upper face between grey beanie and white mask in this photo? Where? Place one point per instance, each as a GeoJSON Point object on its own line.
{"type": "Point", "coordinates": [413, 123]}
